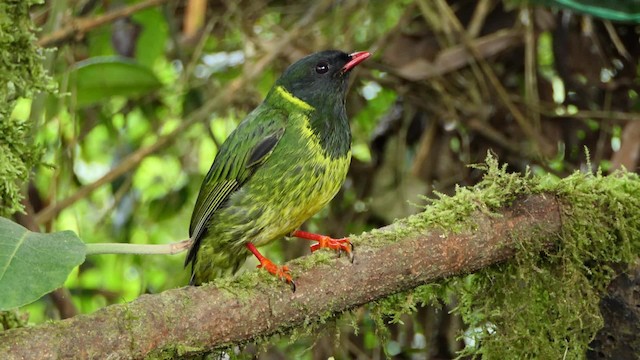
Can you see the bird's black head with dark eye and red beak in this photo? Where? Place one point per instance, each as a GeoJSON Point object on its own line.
{"type": "Point", "coordinates": [320, 79]}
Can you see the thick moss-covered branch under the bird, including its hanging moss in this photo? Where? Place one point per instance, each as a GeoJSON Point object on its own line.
{"type": "Point", "coordinates": [540, 250]}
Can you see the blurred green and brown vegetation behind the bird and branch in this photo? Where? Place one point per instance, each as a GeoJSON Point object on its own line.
{"type": "Point", "coordinates": [145, 98]}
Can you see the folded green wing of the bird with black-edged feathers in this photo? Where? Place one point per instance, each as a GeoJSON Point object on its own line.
{"type": "Point", "coordinates": [248, 146]}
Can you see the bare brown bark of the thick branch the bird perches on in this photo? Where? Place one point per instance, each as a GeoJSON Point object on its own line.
{"type": "Point", "coordinates": [199, 319]}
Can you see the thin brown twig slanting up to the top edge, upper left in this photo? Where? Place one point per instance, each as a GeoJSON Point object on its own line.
{"type": "Point", "coordinates": [79, 26]}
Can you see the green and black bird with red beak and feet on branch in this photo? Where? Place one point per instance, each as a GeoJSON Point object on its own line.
{"type": "Point", "coordinates": [283, 163]}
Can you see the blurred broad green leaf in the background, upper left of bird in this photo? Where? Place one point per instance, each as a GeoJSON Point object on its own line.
{"type": "Point", "coordinates": [100, 78]}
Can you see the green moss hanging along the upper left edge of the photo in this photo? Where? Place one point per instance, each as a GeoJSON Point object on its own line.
{"type": "Point", "coordinates": [22, 76]}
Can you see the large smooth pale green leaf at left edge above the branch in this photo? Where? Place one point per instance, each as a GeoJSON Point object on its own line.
{"type": "Point", "coordinates": [33, 264]}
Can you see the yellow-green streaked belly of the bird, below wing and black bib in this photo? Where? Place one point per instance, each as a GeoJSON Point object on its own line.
{"type": "Point", "coordinates": [280, 197]}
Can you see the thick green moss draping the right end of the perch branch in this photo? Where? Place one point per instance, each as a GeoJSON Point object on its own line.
{"type": "Point", "coordinates": [544, 302]}
